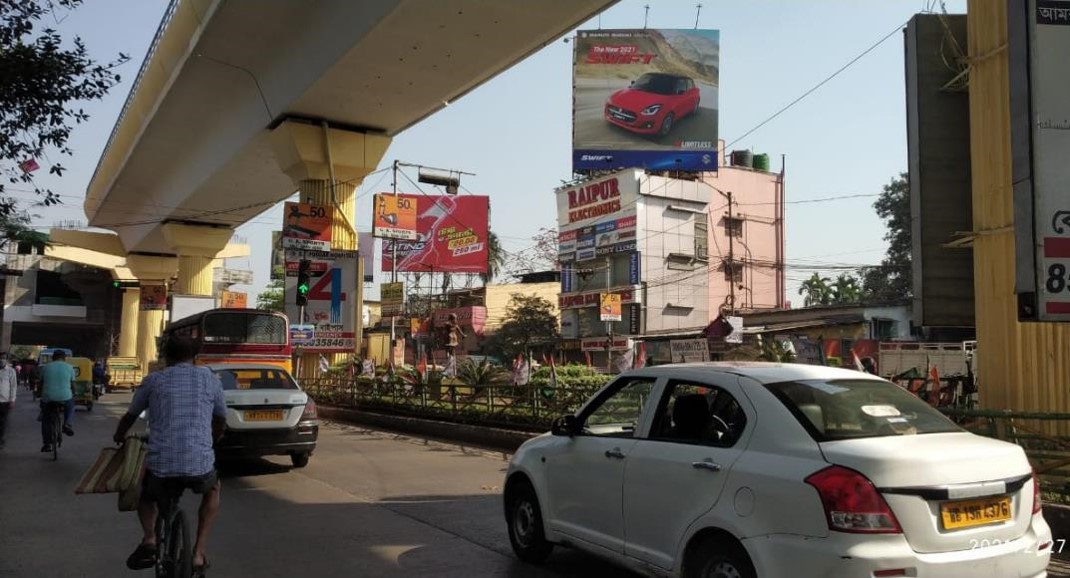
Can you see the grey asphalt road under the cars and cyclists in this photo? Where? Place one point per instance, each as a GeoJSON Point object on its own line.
{"type": "Point", "coordinates": [371, 505]}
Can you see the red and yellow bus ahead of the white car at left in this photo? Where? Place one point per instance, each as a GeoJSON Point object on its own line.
{"type": "Point", "coordinates": [237, 337]}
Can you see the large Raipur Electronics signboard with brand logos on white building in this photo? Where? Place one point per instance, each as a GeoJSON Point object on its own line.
{"type": "Point", "coordinates": [598, 218]}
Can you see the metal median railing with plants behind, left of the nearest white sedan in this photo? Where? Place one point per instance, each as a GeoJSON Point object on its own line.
{"type": "Point", "coordinates": [518, 407]}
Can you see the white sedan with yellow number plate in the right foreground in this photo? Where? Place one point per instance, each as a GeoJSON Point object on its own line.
{"type": "Point", "coordinates": [775, 471]}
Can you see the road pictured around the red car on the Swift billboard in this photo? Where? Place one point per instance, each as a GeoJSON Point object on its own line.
{"type": "Point", "coordinates": [593, 132]}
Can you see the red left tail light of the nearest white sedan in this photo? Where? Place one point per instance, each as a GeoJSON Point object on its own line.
{"type": "Point", "coordinates": [852, 504]}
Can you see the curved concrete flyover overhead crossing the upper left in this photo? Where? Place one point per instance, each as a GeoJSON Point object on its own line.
{"type": "Point", "coordinates": [240, 103]}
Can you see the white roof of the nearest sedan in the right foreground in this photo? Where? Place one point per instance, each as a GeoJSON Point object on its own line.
{"type": "Point", "coordinates": [761, 372]}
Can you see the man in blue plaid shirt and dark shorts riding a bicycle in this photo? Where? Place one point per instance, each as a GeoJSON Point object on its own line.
{"type": "Point", "coordinates": [187, 416]}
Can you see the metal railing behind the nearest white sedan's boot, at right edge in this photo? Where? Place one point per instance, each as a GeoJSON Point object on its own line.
{"type": "Point", "coordinates": [1045, 436]}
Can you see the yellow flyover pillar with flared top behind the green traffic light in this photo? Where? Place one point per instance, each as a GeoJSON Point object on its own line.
{"type": "Point", "coordinates": [327, 165]}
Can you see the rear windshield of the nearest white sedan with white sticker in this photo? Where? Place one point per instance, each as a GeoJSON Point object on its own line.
{"type": "Point", "coordinates": [847, 409]}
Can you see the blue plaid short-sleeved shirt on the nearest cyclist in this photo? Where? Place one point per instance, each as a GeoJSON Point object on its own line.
{"type": "Point", "coordinates": [181, 403]}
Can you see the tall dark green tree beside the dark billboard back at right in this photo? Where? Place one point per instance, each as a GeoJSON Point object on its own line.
{"type": "Point", "coordinates": [893, 280]}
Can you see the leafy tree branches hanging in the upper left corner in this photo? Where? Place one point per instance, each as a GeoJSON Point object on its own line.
{"type": "Point", "coordinates": [41, 85]}
